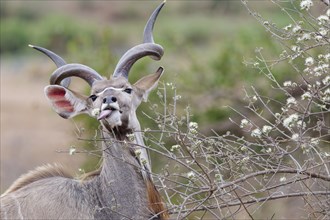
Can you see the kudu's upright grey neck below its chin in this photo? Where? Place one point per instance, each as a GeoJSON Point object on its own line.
{"type": "Point", "coordinates": [120, 176]}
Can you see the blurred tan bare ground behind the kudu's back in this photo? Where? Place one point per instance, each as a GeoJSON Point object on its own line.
{"type": "Point", "coordinates": [31, 133]}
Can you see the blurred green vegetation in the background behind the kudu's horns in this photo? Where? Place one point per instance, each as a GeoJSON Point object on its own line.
{"type": "Point", "coordinates": [205, 46]}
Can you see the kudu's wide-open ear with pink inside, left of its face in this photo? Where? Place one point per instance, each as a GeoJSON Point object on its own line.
{"type": "Point", "coordinates": [65, 102]}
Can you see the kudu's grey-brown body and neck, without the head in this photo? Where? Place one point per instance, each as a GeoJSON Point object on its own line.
{"type": "Point", "coordinates": [118, 191]}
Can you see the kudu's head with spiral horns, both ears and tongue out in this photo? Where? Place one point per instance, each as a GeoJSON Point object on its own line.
{"type": "Point", "coordinates": [112, 101]}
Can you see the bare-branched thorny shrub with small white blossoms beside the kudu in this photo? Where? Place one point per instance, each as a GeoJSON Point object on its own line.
{"type": "Point", "coordinates": [285, 150]}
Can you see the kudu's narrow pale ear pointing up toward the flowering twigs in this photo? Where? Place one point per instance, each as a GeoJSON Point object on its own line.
{"type": "Point", "coordinates": [148, 83]}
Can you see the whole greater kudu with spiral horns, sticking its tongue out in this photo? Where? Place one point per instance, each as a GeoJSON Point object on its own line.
{"type": "Point", "coordinates": [122, 188]}
